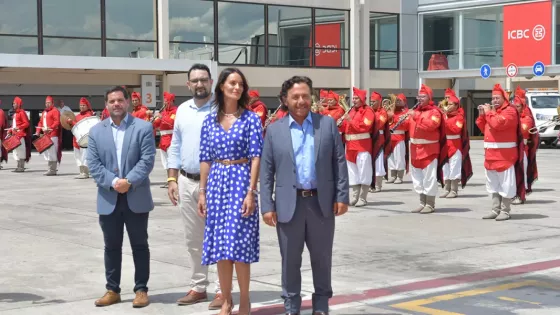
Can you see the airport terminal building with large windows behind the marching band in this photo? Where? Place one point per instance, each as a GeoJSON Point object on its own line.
{"type": "Point", "coordinates": [69, 49]}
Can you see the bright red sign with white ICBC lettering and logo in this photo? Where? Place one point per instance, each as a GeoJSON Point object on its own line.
{"type": "Point", "coordinates": [526, 37]}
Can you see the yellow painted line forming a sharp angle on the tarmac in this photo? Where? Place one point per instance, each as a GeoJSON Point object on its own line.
{"type": "Point", "coordinates": [418, 305]}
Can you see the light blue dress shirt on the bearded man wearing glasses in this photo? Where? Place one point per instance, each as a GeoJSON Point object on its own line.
{"type": "Point", "coordinates": [184, 151]}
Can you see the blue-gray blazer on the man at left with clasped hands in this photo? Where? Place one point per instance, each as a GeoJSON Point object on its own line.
{"type": "Point", "coordinates": [137, 159]}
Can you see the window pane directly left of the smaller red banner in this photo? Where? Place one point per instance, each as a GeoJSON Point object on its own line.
{"type": "Point", "coordinates": [289, 36]}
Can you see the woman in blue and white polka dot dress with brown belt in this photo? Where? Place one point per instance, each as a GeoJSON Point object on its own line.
{"type": "Point", "coordinates": [230, 149]}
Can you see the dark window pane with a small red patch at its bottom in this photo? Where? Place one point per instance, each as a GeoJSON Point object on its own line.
{"type": "Point", "coordinates": [440, 42]}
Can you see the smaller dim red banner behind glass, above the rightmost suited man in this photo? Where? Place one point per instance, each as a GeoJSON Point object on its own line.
{"type": "Point", "coordinates": [327, 45]}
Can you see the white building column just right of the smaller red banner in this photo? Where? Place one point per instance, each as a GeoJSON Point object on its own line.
{"type": "Point", "coordinates": [355, 45]}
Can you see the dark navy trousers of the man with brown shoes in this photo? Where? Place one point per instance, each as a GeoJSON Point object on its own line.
{"type": "Point", "coordinates": [112, 226]}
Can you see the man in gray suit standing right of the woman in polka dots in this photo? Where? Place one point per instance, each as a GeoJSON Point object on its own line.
{"type": "Point", "coordinates": [303, 161]}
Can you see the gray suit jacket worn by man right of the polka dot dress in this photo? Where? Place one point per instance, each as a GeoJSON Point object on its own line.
{"type": "Point", "coordinates": [278, 169]}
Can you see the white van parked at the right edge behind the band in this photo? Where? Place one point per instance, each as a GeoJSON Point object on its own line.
{"type": "Point", "coordinates": [544, 105]}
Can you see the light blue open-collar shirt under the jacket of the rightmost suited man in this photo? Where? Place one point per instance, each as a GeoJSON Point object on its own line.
{"type": "Point", "coordinates": [304, 152]}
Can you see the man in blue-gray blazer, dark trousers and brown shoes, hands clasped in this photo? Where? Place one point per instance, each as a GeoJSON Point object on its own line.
{"type": "Point", "coordinates": [121, 154]}
